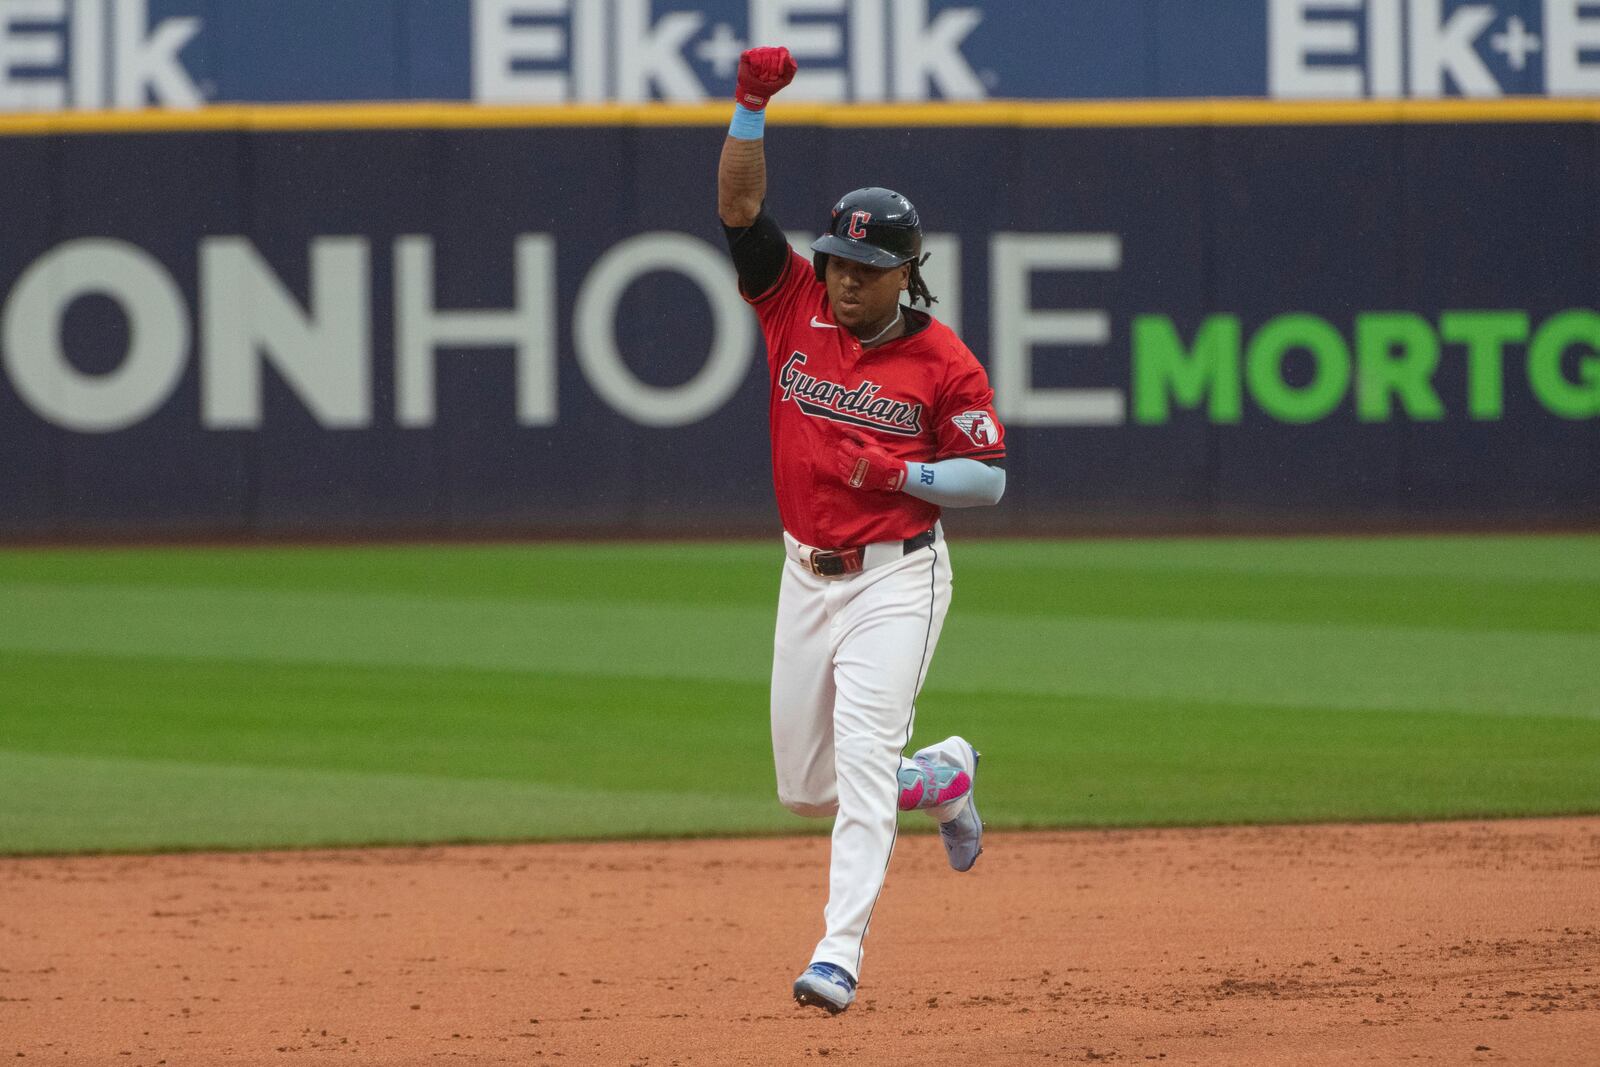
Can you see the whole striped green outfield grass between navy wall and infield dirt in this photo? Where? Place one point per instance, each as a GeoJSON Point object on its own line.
{"type": "Point", "coordinates": [186, 698]}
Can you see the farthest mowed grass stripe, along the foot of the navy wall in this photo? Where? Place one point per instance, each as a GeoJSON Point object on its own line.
{"type": "Point", "coordinates": [1438, 583]}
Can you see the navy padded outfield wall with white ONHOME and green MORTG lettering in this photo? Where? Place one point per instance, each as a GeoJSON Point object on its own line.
{"type": "Point", "coordinates": [1210, 321]}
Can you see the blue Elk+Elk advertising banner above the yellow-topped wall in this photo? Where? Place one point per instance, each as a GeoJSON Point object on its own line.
{"type": "Point", "coordinates": [84, 55]}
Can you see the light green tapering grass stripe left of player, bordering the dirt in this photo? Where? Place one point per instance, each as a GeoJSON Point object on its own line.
{"type": "Point", "coordinates": [54, 804]}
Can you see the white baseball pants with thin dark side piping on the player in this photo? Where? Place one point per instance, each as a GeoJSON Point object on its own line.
{"type": "Point", "coordinates": [849, 660]}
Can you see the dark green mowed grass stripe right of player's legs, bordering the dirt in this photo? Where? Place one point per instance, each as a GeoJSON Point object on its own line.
{"type": "Point", "coordinates": [1119, 762]}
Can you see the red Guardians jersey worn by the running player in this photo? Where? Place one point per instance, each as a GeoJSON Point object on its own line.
{"type": "Point", "coordinates": [921, 398]}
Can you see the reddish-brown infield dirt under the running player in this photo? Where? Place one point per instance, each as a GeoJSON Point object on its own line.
{"type": "Point", "coordinates": [1457, 943]}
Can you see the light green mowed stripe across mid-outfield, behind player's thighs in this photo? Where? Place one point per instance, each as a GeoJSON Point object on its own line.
{"type": "Point", "coordinates": [1271, 665]}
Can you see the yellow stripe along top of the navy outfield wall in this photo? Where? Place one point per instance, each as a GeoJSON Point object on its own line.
{"type": "Point", "coordinates": [1031, 114]}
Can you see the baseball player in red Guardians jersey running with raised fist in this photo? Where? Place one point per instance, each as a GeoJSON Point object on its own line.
{"type": "Point", "coordinates": [879, 418]}
